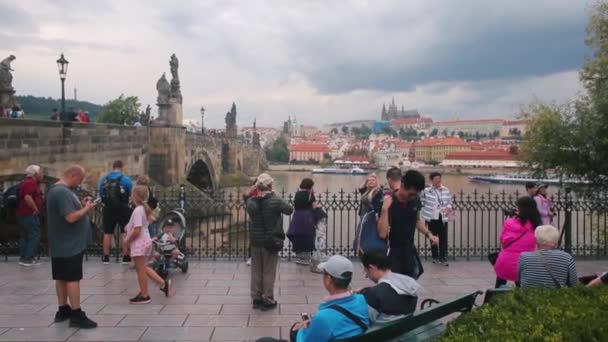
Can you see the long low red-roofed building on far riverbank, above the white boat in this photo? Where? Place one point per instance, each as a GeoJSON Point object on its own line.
{"type": "Point", "coordinates": [481, 159]}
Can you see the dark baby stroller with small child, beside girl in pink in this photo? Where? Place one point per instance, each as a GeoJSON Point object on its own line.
{"type": "Point", "coordinates": [170, 234]}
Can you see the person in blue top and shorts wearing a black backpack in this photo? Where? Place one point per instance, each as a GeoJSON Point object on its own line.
{"type": "Point", "coordinates": [115, 190]}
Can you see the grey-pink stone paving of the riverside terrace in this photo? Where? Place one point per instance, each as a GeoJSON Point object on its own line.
{"type": "Point", "coordinates": [211, 304]}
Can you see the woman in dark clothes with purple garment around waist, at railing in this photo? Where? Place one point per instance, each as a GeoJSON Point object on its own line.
{"type": "Point", "coordinates": [302, 227]}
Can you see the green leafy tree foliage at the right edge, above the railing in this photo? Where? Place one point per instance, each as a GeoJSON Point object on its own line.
{"type": "Point", "coordinates": [571, 139]}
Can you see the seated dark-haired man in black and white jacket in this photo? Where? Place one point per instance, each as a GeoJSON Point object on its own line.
{"type": "Point", "coordinates": [394, 296]}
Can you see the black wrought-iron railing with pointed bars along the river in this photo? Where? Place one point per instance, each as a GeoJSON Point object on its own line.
{"type": "Point", "coordinates": [217, 223]}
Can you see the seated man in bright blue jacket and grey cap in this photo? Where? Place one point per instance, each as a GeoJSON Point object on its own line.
{"type": "Point", "coordinates": [342, 314]}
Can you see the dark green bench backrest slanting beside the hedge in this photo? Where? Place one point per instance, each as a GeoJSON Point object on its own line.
{"type": "Point", "coordinates": [382, 332]}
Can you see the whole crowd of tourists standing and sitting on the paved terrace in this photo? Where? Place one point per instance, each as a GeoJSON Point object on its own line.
{"type": "Point", "coordinates": [390, 217]}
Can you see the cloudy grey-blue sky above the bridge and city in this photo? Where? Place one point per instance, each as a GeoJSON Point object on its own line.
{"type": "Point", "coordinates": [322, 61]}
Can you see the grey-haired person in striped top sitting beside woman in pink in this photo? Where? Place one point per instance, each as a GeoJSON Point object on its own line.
{"type": "Point", "coordinates": [547, 266]}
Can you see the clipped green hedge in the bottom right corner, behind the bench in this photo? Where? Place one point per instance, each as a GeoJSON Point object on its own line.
{"type": "Point", "coordinates": [571, 314]}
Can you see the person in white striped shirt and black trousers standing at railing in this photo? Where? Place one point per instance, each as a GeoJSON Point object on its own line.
{"type": "Point", "coordinates": [437, 203]}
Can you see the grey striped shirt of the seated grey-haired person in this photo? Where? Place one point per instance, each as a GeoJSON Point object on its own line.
{"type": "Point", "coordinates": [532, 272]}
